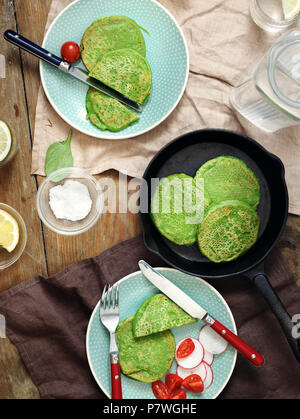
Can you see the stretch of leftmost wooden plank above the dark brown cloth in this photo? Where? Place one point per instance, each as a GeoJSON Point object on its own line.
{"type": "Point", "coordinates": [17, 187]}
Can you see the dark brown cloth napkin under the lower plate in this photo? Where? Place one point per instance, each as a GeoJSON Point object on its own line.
{"type": "Point", "coordinates": [47, 320]}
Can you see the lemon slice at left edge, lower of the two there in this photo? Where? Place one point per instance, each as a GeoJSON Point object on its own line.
{"type": "Point", "coordinates": [9, 231]}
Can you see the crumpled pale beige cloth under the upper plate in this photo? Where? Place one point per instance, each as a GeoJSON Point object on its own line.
{"type": "Point", "coordinates": [225, 47]}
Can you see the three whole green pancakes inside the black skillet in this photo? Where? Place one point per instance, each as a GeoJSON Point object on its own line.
{"type": "Point", "coordinates": [230, 195]}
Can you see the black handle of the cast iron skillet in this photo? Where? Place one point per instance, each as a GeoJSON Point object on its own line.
{"type": "Point", "coordinates": [262, 283]}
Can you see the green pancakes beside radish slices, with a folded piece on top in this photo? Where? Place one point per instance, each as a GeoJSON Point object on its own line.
{"type": "Point", "coordinates": [146, 345]}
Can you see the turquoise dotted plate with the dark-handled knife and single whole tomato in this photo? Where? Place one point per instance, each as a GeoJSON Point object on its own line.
{"type": "Point", "coordinates": [166, 51]}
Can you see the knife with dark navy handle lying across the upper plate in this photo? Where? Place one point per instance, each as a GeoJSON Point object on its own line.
{"type": "Point", "coordinates": [80, 74]}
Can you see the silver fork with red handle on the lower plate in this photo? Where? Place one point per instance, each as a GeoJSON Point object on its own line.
{"type": "Point", "coordinates": [109, 316]}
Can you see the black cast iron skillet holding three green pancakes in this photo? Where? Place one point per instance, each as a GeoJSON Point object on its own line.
{"type": "Point", "coordinates": [185, 155]}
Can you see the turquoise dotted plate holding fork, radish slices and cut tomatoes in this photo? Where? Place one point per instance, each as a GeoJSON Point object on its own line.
{"type": "Point", "coordinates": [134, 289]}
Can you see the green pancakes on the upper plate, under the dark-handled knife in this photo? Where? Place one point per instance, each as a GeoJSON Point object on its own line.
{"type": "Point", "coordinates": [113, 50]}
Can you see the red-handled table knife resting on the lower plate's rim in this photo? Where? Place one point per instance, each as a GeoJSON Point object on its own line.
{"type": "Point", "coordinates": [195, 310]}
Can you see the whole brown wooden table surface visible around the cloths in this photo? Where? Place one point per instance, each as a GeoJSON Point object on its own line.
{"type": "Point", "coordinates": [47, 253]}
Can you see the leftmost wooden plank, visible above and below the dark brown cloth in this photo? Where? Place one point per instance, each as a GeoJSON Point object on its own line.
{"type": "Point", "coordinates": [18, 189]}
